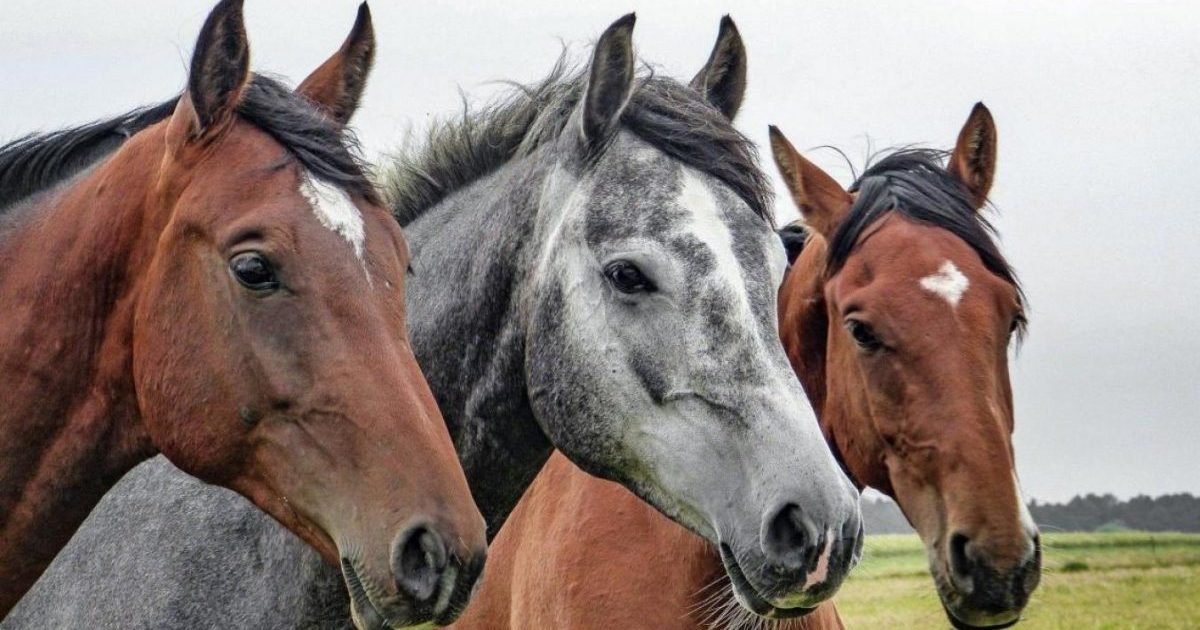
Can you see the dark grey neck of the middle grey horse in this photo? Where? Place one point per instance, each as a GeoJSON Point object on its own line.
{"type": "Point", "coordinates": [470, 339]}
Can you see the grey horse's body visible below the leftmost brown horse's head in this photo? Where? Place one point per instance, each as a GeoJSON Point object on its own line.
{"type": "Point", "coordinates": [157, 554]}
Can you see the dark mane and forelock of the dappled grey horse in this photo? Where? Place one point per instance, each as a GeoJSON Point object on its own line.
{"type": "Point", "coordinates": [665, 113]}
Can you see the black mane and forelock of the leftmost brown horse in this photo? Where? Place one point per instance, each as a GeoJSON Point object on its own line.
{"type": "Point", "coordinates": [39, 161]}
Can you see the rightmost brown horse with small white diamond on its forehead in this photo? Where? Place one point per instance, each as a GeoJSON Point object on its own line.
{"type": "Point", "coordinates": [898, 316]}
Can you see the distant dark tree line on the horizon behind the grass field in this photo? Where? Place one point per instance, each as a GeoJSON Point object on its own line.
{"type": "Point", "coordinates": [1088, 513]}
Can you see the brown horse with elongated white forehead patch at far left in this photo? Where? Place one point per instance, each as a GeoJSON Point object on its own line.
{"type": "Point", "coordinates": [227, 290]}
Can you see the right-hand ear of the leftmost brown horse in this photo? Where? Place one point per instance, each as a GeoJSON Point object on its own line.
{"type": "Point", "coordinates": [338, 86]}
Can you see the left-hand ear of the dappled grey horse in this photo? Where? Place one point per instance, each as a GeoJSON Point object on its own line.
{"type": "Point", "coordinates": [610, 81]}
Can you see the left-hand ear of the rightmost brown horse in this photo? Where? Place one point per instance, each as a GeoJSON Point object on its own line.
{"type": "Point", "coordinates": [823, 202]}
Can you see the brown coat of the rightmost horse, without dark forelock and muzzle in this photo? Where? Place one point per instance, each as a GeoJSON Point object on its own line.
{"type": "Point", "coordinates": [584, 554]}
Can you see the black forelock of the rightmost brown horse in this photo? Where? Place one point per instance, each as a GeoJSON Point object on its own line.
{"type": "Point", "coordinates": [916, 184]}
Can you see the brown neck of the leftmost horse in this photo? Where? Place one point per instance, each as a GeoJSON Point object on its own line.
{"type": "Point", "coordinates": [69, 428]}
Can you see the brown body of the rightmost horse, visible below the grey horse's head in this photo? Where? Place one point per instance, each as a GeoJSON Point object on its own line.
{"type": "Point", "coordinates": [585, 554]}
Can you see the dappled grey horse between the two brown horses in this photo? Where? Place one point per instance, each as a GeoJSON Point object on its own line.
{"type": "Point", "coordinates": [595, 271]}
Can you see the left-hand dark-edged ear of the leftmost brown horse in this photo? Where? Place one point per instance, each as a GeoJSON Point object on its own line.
{"type": "Point", "coordinates": [220, 68]}
